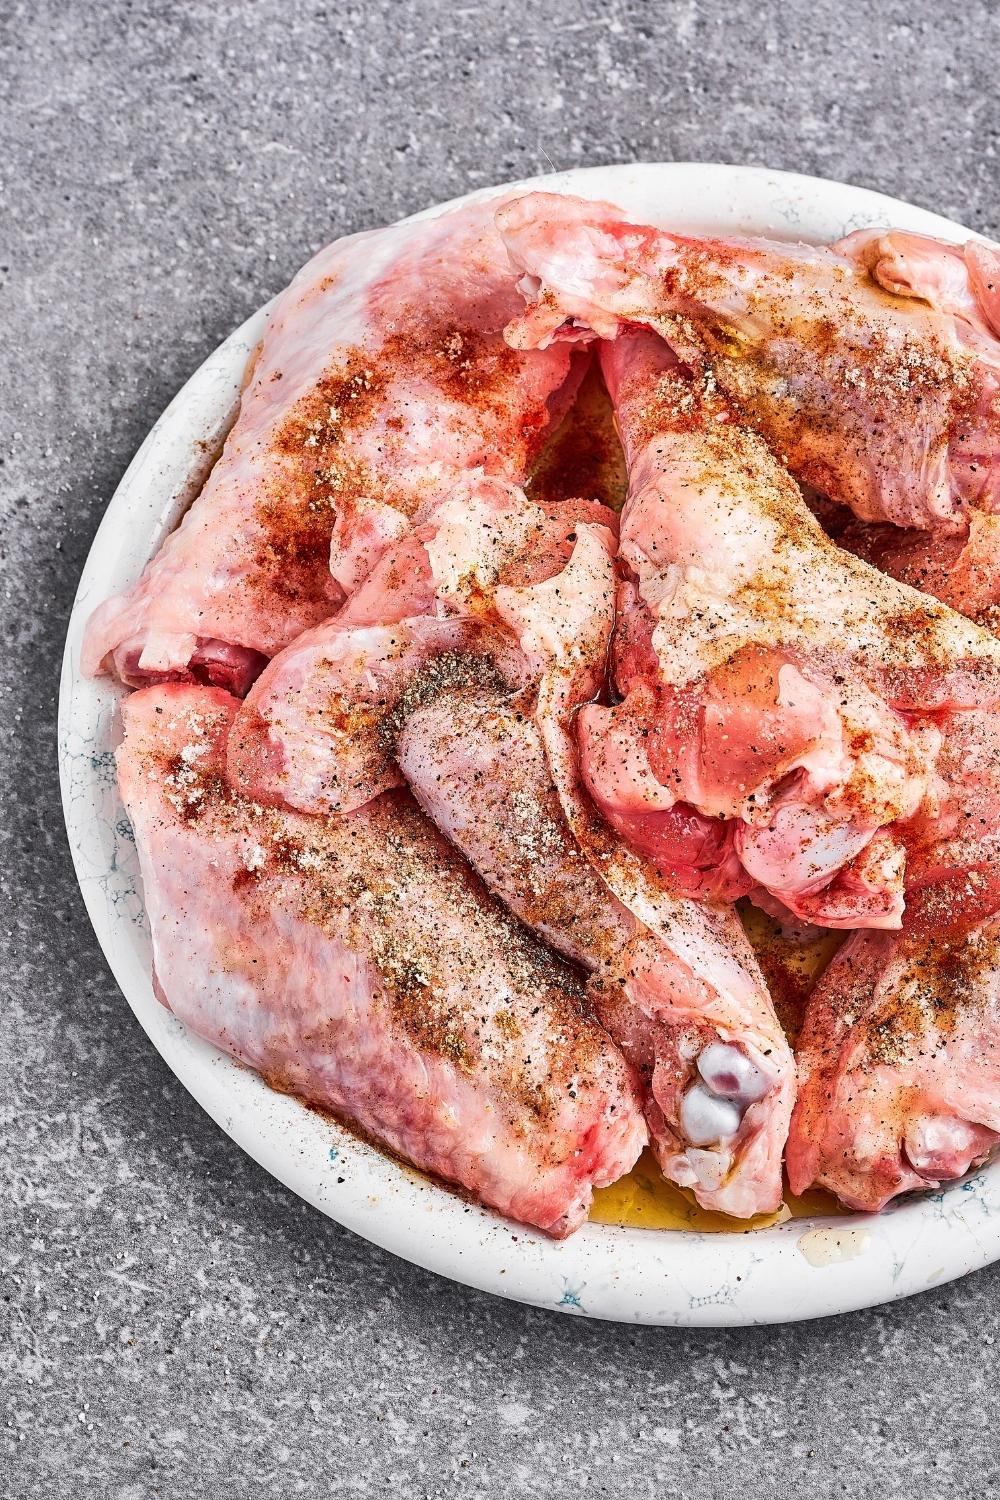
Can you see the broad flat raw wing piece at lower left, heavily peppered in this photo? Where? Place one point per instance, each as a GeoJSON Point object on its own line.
{"type": "Point", "coordinates": [359, 964]}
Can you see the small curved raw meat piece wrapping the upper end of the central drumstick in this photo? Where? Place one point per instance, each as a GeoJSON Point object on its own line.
{"type": "Point", "coordinates": [317, 731]}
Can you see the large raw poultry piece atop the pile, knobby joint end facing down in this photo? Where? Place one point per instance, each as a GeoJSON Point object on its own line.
{"type": "Point", "coordinates": [767, 679]}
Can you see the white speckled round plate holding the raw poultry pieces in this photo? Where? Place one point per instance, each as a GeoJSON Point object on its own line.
{"type": "Point", "coordinates": [792, 1271]}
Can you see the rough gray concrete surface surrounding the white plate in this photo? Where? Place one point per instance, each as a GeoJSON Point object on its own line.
{"type": "Point", "coordinates": [173, 1322]}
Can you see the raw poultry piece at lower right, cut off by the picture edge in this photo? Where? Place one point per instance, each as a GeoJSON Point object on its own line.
{"type": "Point", "coordinates": [900, 1055]}
